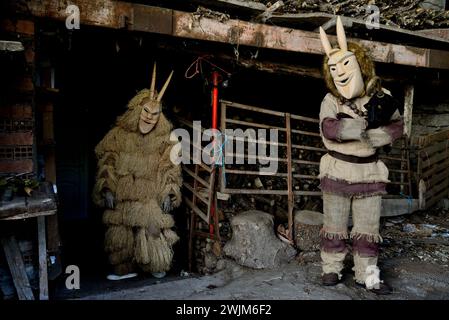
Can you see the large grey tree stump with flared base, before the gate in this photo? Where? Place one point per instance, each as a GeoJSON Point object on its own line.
{"type": "Point", "coordinates": [254, 243]}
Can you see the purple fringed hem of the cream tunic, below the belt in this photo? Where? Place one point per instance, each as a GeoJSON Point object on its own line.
{"type": "Point", "coordinates": [352, 189]}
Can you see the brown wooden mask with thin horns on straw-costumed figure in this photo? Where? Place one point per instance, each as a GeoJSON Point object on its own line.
{"type": "Point", "coordinates": [152, 106]}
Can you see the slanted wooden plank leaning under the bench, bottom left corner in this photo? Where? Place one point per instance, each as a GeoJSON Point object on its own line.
{"type": "Point", "coordinates": [17, 268]}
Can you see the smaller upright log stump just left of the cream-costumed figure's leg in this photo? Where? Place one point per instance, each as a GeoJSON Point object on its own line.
{"type": "Point", "coordinates": [307, 229]}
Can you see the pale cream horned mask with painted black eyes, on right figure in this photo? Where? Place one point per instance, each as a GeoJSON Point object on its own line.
{"type": "Point", "coordinates": [343, 65]}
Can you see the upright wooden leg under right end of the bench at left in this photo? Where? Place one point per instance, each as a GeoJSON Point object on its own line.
{"type": "Point", "coordinates": [42, 248]}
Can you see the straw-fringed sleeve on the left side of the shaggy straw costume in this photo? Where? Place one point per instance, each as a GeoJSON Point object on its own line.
{"type": "Point", "coordinates": [106, 178]}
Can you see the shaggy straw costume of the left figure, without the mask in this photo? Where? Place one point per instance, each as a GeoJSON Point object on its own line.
{"type": "Point", "coordinates": [137, 170]}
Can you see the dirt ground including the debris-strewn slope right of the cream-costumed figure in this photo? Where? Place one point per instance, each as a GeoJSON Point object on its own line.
{"type": "Point", "coordinates": [414, 260]}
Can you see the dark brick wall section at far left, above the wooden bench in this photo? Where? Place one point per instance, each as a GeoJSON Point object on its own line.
{"type": "Point", "coordinates": [17, 92]}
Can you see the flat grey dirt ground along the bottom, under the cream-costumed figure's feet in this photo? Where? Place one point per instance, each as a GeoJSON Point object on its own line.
{"type": "Point", "coordinates": [410, 280]}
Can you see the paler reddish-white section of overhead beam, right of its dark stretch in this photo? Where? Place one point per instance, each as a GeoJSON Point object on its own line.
{"type": "Point", "coordinates": [287, 39]}
